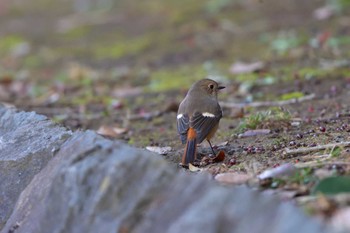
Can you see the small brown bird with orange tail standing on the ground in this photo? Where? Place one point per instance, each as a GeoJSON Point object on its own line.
{"type": "Point", "coordinates": [198, 117]}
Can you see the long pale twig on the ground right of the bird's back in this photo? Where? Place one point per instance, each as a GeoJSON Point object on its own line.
{"type": "Point", "coordinates": [267, 103]}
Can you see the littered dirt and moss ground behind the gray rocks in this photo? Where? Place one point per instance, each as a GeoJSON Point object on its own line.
{"type": "Point", "coordinates": [122, 68]}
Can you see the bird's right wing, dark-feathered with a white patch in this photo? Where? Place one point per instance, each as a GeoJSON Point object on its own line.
{"type": "Point", "coordinates": [203, 123]}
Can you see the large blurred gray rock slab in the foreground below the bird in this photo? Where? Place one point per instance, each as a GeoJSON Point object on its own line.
{"type": "Point", "coordinates": [96, 185]}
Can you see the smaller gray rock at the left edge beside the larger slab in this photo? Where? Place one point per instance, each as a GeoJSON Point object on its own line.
{"type": "Point", "coordinates": [27, 142]}
